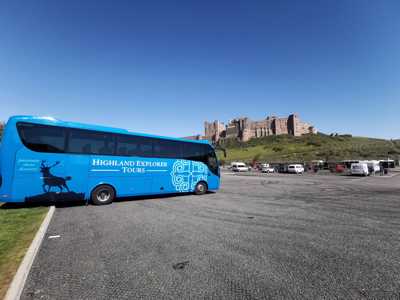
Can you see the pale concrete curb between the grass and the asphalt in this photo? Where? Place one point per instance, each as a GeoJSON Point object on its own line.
{"type": "Point", "coordinates": [17, 285]}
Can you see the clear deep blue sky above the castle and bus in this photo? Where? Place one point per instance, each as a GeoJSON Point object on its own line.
{"type": "Point", "coordinates": [164, 67]}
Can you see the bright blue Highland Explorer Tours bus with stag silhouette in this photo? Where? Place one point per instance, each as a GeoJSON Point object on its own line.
{"type": "Point", "coordinates": [42, 158]}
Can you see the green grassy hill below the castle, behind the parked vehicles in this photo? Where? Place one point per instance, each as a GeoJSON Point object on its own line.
{"type": "Point", "coordinates": [285, 148]}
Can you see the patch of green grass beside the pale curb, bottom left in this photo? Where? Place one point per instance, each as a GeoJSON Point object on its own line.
{"type": "Point", "coordinates": [18, 227]}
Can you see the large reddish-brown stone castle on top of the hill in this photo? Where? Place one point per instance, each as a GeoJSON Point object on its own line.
{"type": "Point", "coordinates": [244, 129]}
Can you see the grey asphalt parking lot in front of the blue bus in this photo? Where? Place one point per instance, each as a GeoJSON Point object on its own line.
{"type": "Point", "coordinates": [259, 237]}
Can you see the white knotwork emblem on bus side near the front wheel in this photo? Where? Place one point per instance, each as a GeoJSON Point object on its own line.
{"type": "Point", "coordinates": [186, 174]}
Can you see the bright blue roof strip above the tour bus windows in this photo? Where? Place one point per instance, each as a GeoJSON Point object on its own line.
{"type": "Point", "coordinates": [56, 122]}
